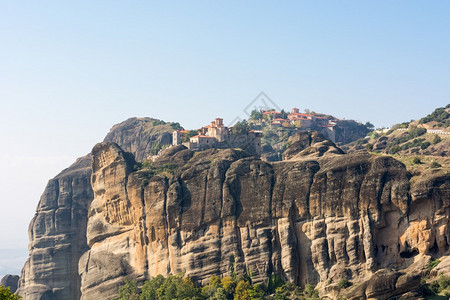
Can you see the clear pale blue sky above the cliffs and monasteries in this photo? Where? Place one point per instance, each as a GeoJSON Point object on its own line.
{"type": "Point", "coordinates": [70, 70]}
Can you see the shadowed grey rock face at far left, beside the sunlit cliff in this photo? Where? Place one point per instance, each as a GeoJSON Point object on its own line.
{"type": "Point", "coordinates": [57, 236]}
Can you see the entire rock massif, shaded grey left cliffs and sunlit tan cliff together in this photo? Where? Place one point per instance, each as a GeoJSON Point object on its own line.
{"type": "Point", "coordinates": [316, 217]}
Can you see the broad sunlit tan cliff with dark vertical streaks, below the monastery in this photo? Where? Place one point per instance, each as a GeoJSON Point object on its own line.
{"type": "Point", "coordinates": [318, 215]}
